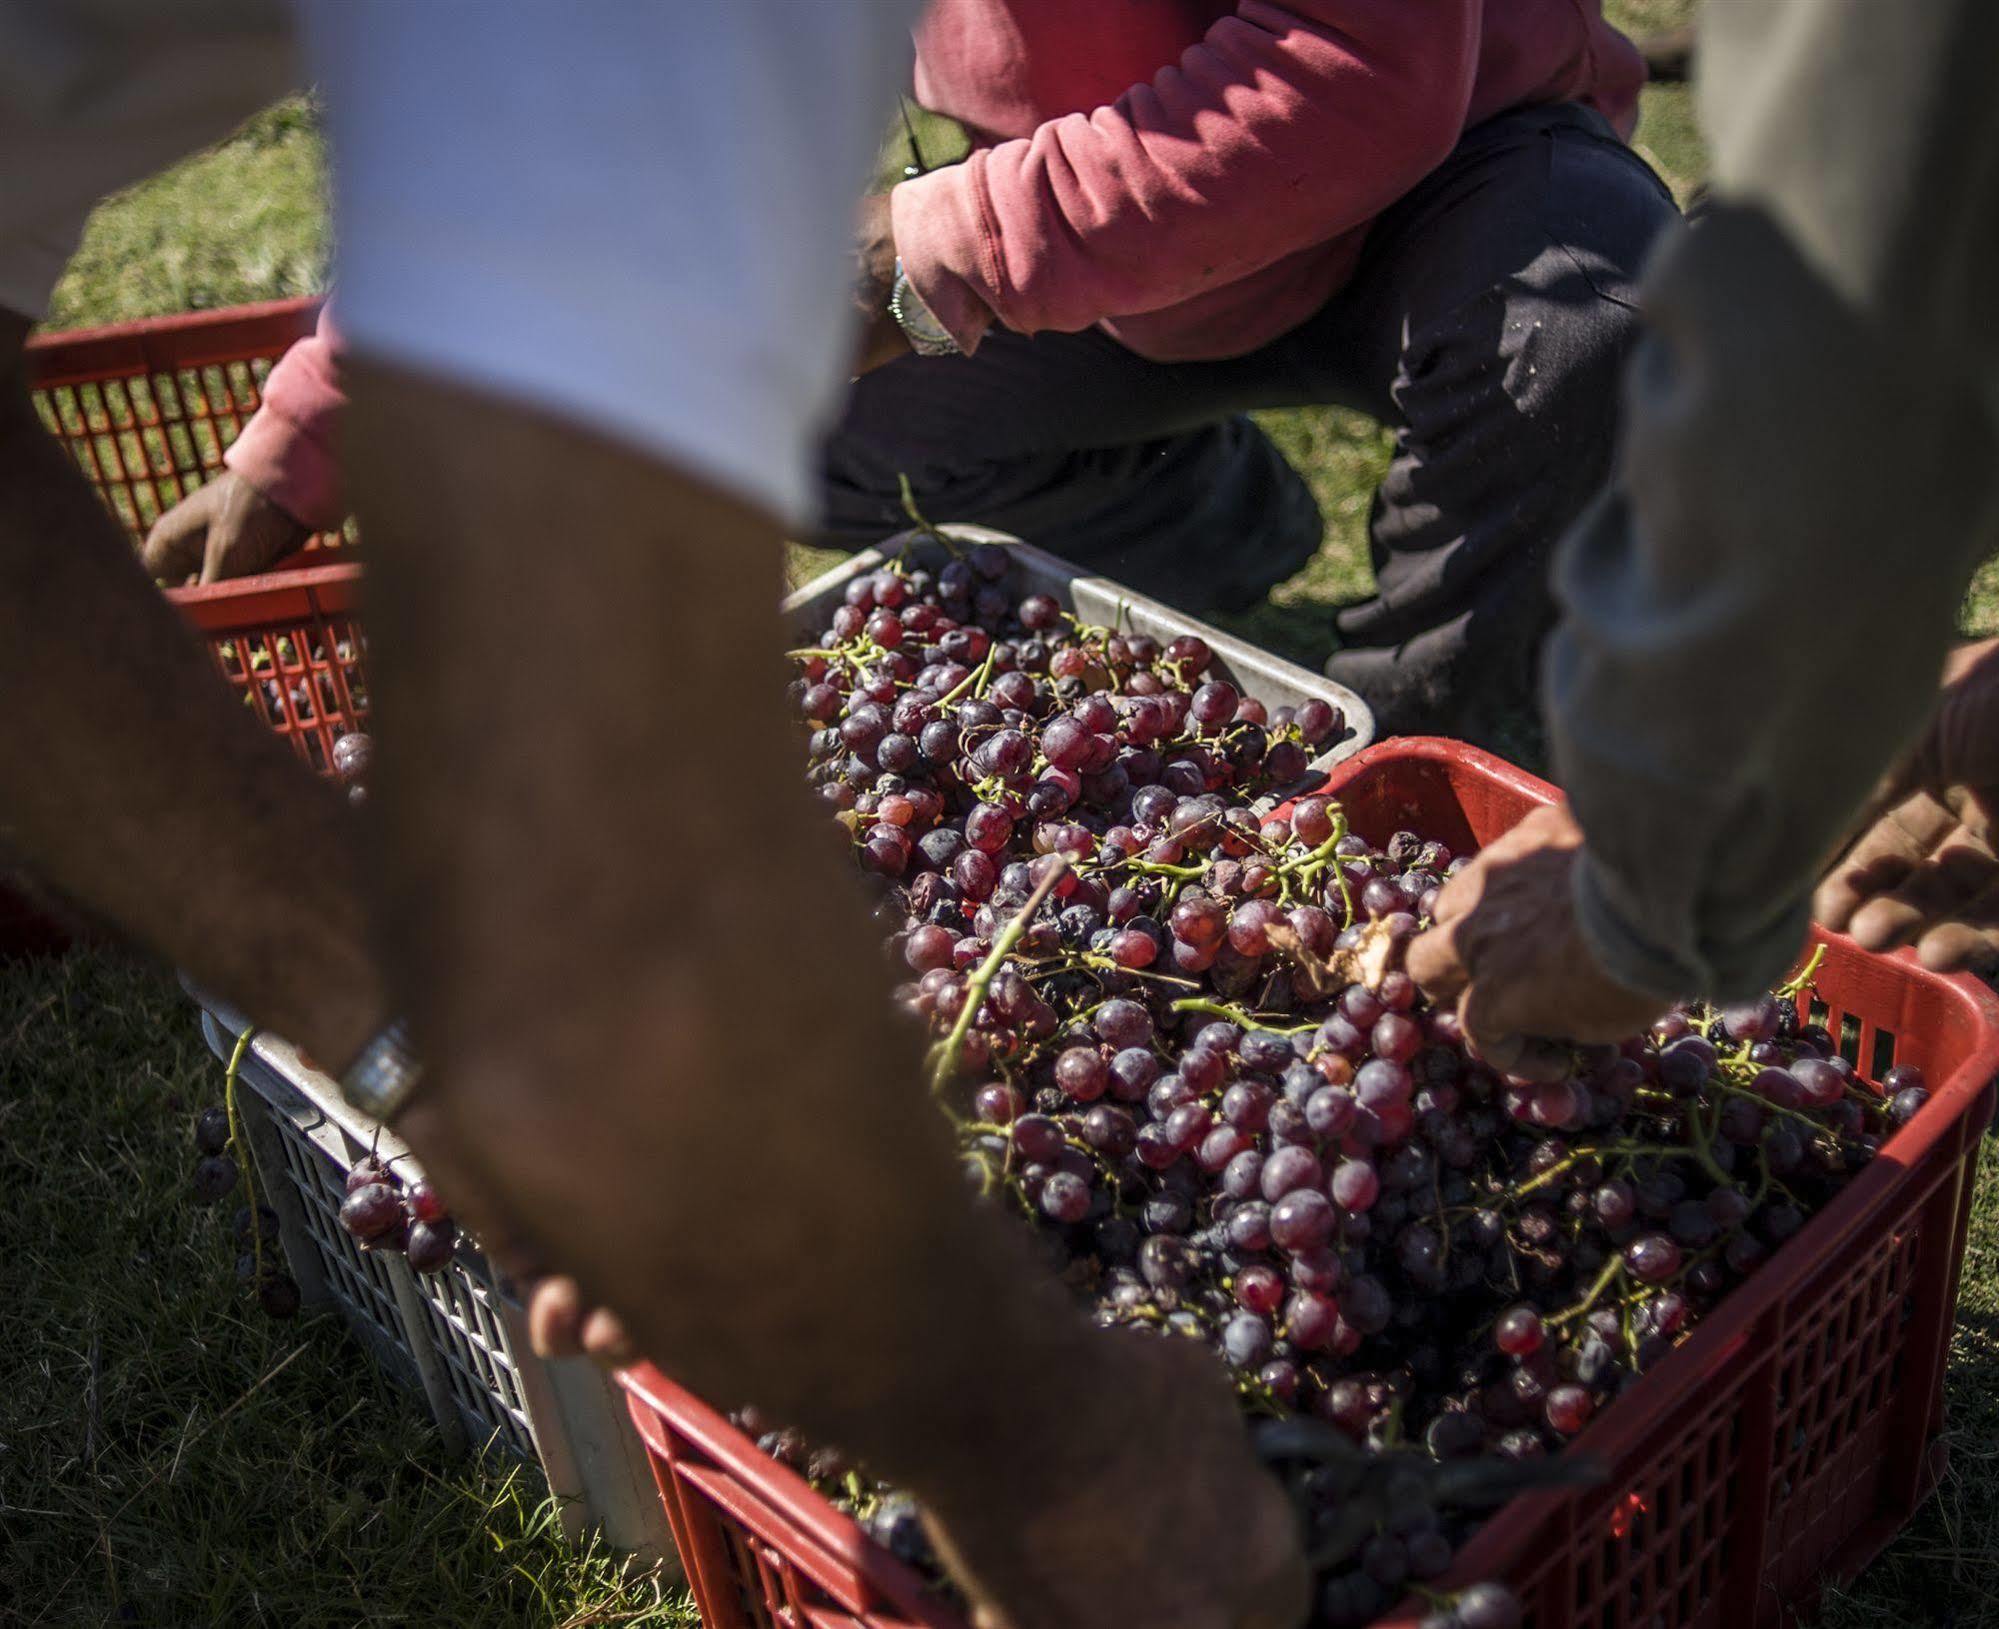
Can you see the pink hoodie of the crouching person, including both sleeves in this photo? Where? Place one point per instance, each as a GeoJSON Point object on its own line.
{"type": "Point", "coordinates": [1194, 211]}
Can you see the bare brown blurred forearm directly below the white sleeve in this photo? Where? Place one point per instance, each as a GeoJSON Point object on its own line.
{"type": "Point", "coordinates": [617, 908]}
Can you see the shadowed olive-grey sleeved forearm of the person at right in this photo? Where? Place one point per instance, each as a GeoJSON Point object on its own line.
{"type": "Point", "coordinates": [1758, 627]}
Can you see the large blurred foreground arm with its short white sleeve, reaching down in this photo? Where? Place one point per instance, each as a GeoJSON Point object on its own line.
{"type": "Point", "coordinates": [651, 1000]}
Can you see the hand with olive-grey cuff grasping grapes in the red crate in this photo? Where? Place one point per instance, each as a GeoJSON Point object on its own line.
{"type": "Point", "coordinates": [1508, 950]}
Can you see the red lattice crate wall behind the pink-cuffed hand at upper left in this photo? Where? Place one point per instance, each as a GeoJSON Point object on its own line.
{"type": "Point", "coordinates": [149, 409]}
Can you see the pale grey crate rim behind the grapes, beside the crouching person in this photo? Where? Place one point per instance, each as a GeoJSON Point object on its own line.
{"type": "Point", "coordinates": [1110, 605]}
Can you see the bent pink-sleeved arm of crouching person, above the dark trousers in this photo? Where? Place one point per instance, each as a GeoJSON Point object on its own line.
{"type": "Point", "coordinates": [1282, 129]}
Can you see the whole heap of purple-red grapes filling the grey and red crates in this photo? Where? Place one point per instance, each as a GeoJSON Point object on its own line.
{"type": "Point", "coordinates": [1174, 1034]}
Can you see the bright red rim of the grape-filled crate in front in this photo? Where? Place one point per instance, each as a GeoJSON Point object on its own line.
{"type": "Point", "coordinates": [1952, 1112]}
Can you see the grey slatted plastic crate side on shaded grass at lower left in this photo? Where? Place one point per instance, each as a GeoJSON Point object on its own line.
{"type": "Point", "coordinates": [459, 1336]}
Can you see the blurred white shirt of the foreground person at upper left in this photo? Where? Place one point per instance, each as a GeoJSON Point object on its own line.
{"type": "Point", "coordinates": [633, 213]}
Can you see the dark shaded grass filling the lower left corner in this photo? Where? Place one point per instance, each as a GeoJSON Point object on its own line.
{"type": "Point", "coordinates": [169, 1456]}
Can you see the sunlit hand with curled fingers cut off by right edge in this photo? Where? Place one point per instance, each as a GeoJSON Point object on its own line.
{"type": "Point", "coordinates": [1924, 868]}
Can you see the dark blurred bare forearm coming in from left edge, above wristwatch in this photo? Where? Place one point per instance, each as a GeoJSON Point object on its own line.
{"type": "Point", "coordinates": [139, 787]}
